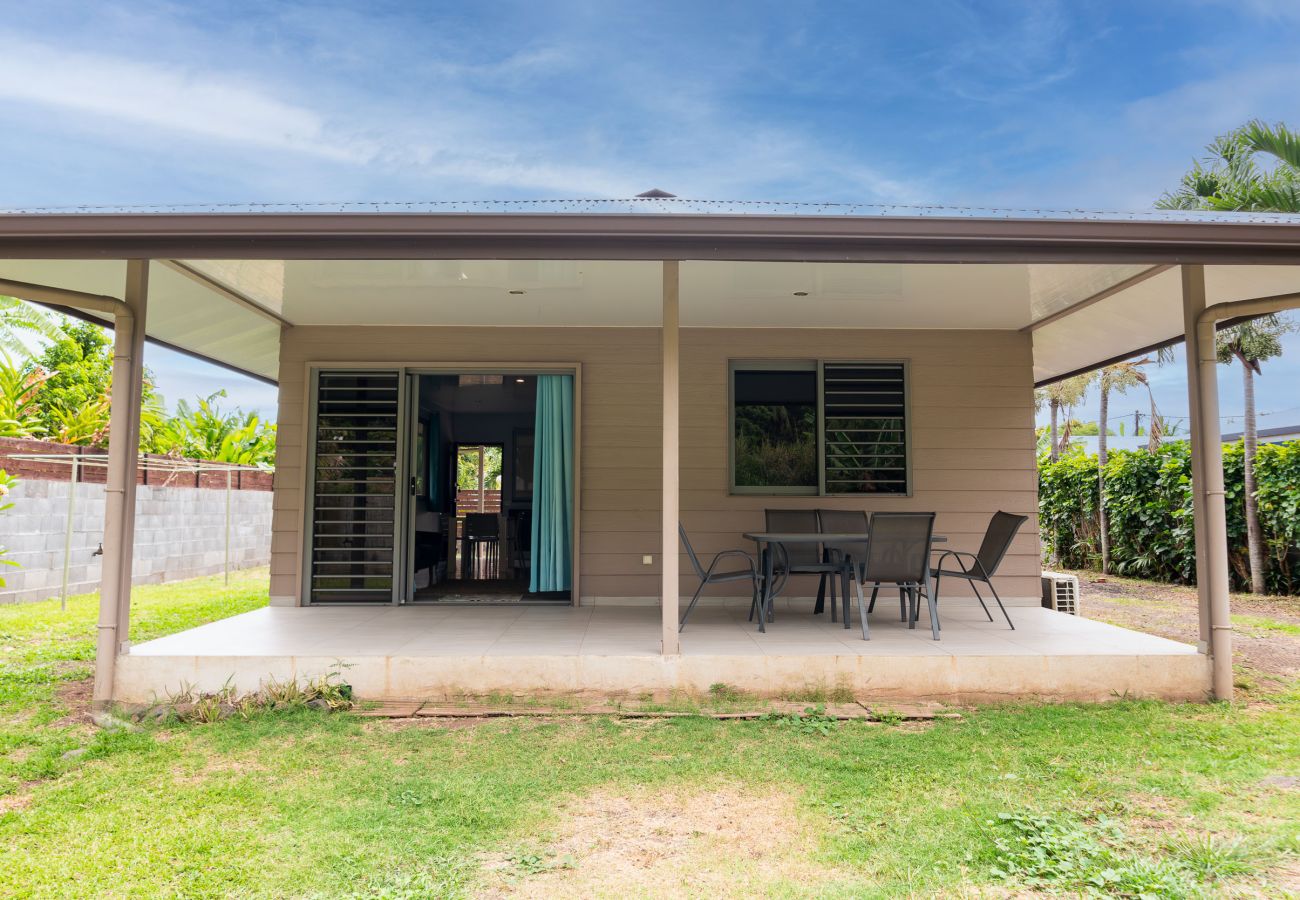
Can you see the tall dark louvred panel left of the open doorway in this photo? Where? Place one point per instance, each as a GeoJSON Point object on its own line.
{"type": "Point", "coordinates": [354, 481]}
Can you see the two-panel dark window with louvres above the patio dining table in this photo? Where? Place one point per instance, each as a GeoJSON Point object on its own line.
{"type": "Point", "coordinates": [820, 429]}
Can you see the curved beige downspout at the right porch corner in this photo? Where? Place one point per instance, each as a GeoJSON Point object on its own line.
{"type": "Point", "coordinates": [1212, 491]}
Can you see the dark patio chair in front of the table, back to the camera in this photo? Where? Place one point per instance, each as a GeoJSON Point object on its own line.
{"type": "Point", "coordinates": [899, 553]}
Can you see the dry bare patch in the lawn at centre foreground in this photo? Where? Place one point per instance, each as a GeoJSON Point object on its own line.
{"type": "Point", "coordinates": [723, 843]}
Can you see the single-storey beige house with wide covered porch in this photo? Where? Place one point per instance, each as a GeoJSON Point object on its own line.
{"type": "Point", "coordinates": [640, 364]}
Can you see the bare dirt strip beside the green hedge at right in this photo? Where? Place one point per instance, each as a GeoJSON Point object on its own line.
{"type": "Point", "coordinates": [1171, 611]}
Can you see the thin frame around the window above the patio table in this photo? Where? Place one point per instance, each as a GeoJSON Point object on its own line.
{"type": "Point", "coordinates": [818, 366]}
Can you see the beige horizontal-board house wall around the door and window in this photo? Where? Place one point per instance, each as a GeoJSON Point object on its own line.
{"type": "Point", "coordinates": [972, 434]}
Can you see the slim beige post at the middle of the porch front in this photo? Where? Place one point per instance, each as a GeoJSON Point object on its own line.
{"type": "Point", "coordinates": [671, 458]}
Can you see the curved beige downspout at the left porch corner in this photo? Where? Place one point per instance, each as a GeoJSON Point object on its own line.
{"type": "Point", "coordinates": [124, 331]}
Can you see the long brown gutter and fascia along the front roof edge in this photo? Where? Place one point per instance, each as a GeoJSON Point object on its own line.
{"type": "Point", "coordinates": [632, 237]}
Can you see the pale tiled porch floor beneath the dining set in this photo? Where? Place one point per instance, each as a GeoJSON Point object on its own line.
{"type": "Point", "coordinates": [635, 631]}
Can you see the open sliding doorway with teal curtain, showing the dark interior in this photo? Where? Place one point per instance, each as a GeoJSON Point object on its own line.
{"type": "Point", "coordinates": [476, 443]}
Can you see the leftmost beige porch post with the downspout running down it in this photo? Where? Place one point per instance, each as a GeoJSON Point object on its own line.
{"type": "Point", "coordinates": [124, 440]}
